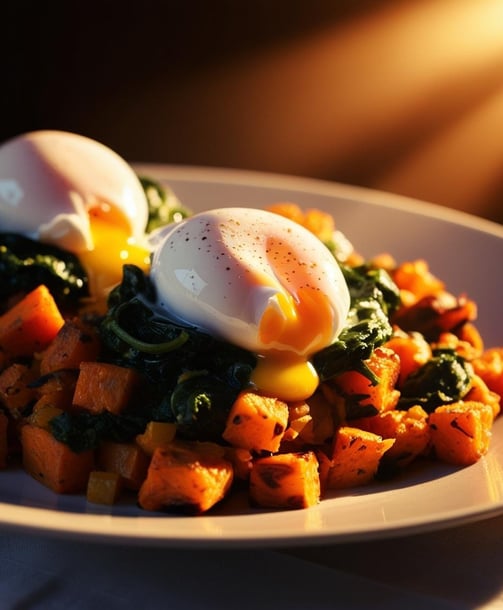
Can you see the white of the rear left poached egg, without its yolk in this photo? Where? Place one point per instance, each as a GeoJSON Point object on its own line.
{"type": "Point", "coordinates": [49, 180]}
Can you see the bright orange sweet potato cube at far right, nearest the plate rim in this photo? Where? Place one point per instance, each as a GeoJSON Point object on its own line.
{"type": "Point", "coordinates": [461, 432]}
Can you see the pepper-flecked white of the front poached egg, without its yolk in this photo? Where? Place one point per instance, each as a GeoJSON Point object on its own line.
{"type": "Point", "coordinates": [217, 271]}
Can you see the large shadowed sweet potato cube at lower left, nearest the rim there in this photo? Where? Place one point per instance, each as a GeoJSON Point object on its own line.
{"type": "Point", "coordinates": [53, 463]}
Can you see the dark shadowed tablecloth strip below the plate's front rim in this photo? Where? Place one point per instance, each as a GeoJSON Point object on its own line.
{"type": "Point", "coordinates": [459, 568]}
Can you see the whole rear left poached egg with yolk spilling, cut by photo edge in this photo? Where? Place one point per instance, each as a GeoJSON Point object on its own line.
{"type": "Point", "coordinates": [70, 191]}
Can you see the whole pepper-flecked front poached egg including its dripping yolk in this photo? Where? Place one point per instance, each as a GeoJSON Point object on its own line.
{"type": "Point", "coordinates": [259, 281]}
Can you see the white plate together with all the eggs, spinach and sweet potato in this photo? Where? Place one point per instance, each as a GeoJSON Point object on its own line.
{"type": "Point", "coordinates": [210, 357]}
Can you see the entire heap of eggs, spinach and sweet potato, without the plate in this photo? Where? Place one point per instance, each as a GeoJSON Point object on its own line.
{"type": "Point", "coordinates": [153, 355]}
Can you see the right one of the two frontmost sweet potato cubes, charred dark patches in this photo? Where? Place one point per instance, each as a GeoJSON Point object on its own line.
{"type": "Point", "coordinates": [285, 480]}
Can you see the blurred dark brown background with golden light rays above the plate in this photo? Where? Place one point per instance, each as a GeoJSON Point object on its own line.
{"type": "Point", "coordinates": [400, 95]}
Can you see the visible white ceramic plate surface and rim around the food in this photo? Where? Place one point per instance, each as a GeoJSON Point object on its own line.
{"type": "Point", "coordinates": [465, 251]}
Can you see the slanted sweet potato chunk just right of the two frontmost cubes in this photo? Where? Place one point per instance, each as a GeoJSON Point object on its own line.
{"type": "Point", "coordinates": [356, 456]}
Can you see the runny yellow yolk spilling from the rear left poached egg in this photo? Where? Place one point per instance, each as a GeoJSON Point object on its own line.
{"type": "Point", "coordinates": [113, 247]}
